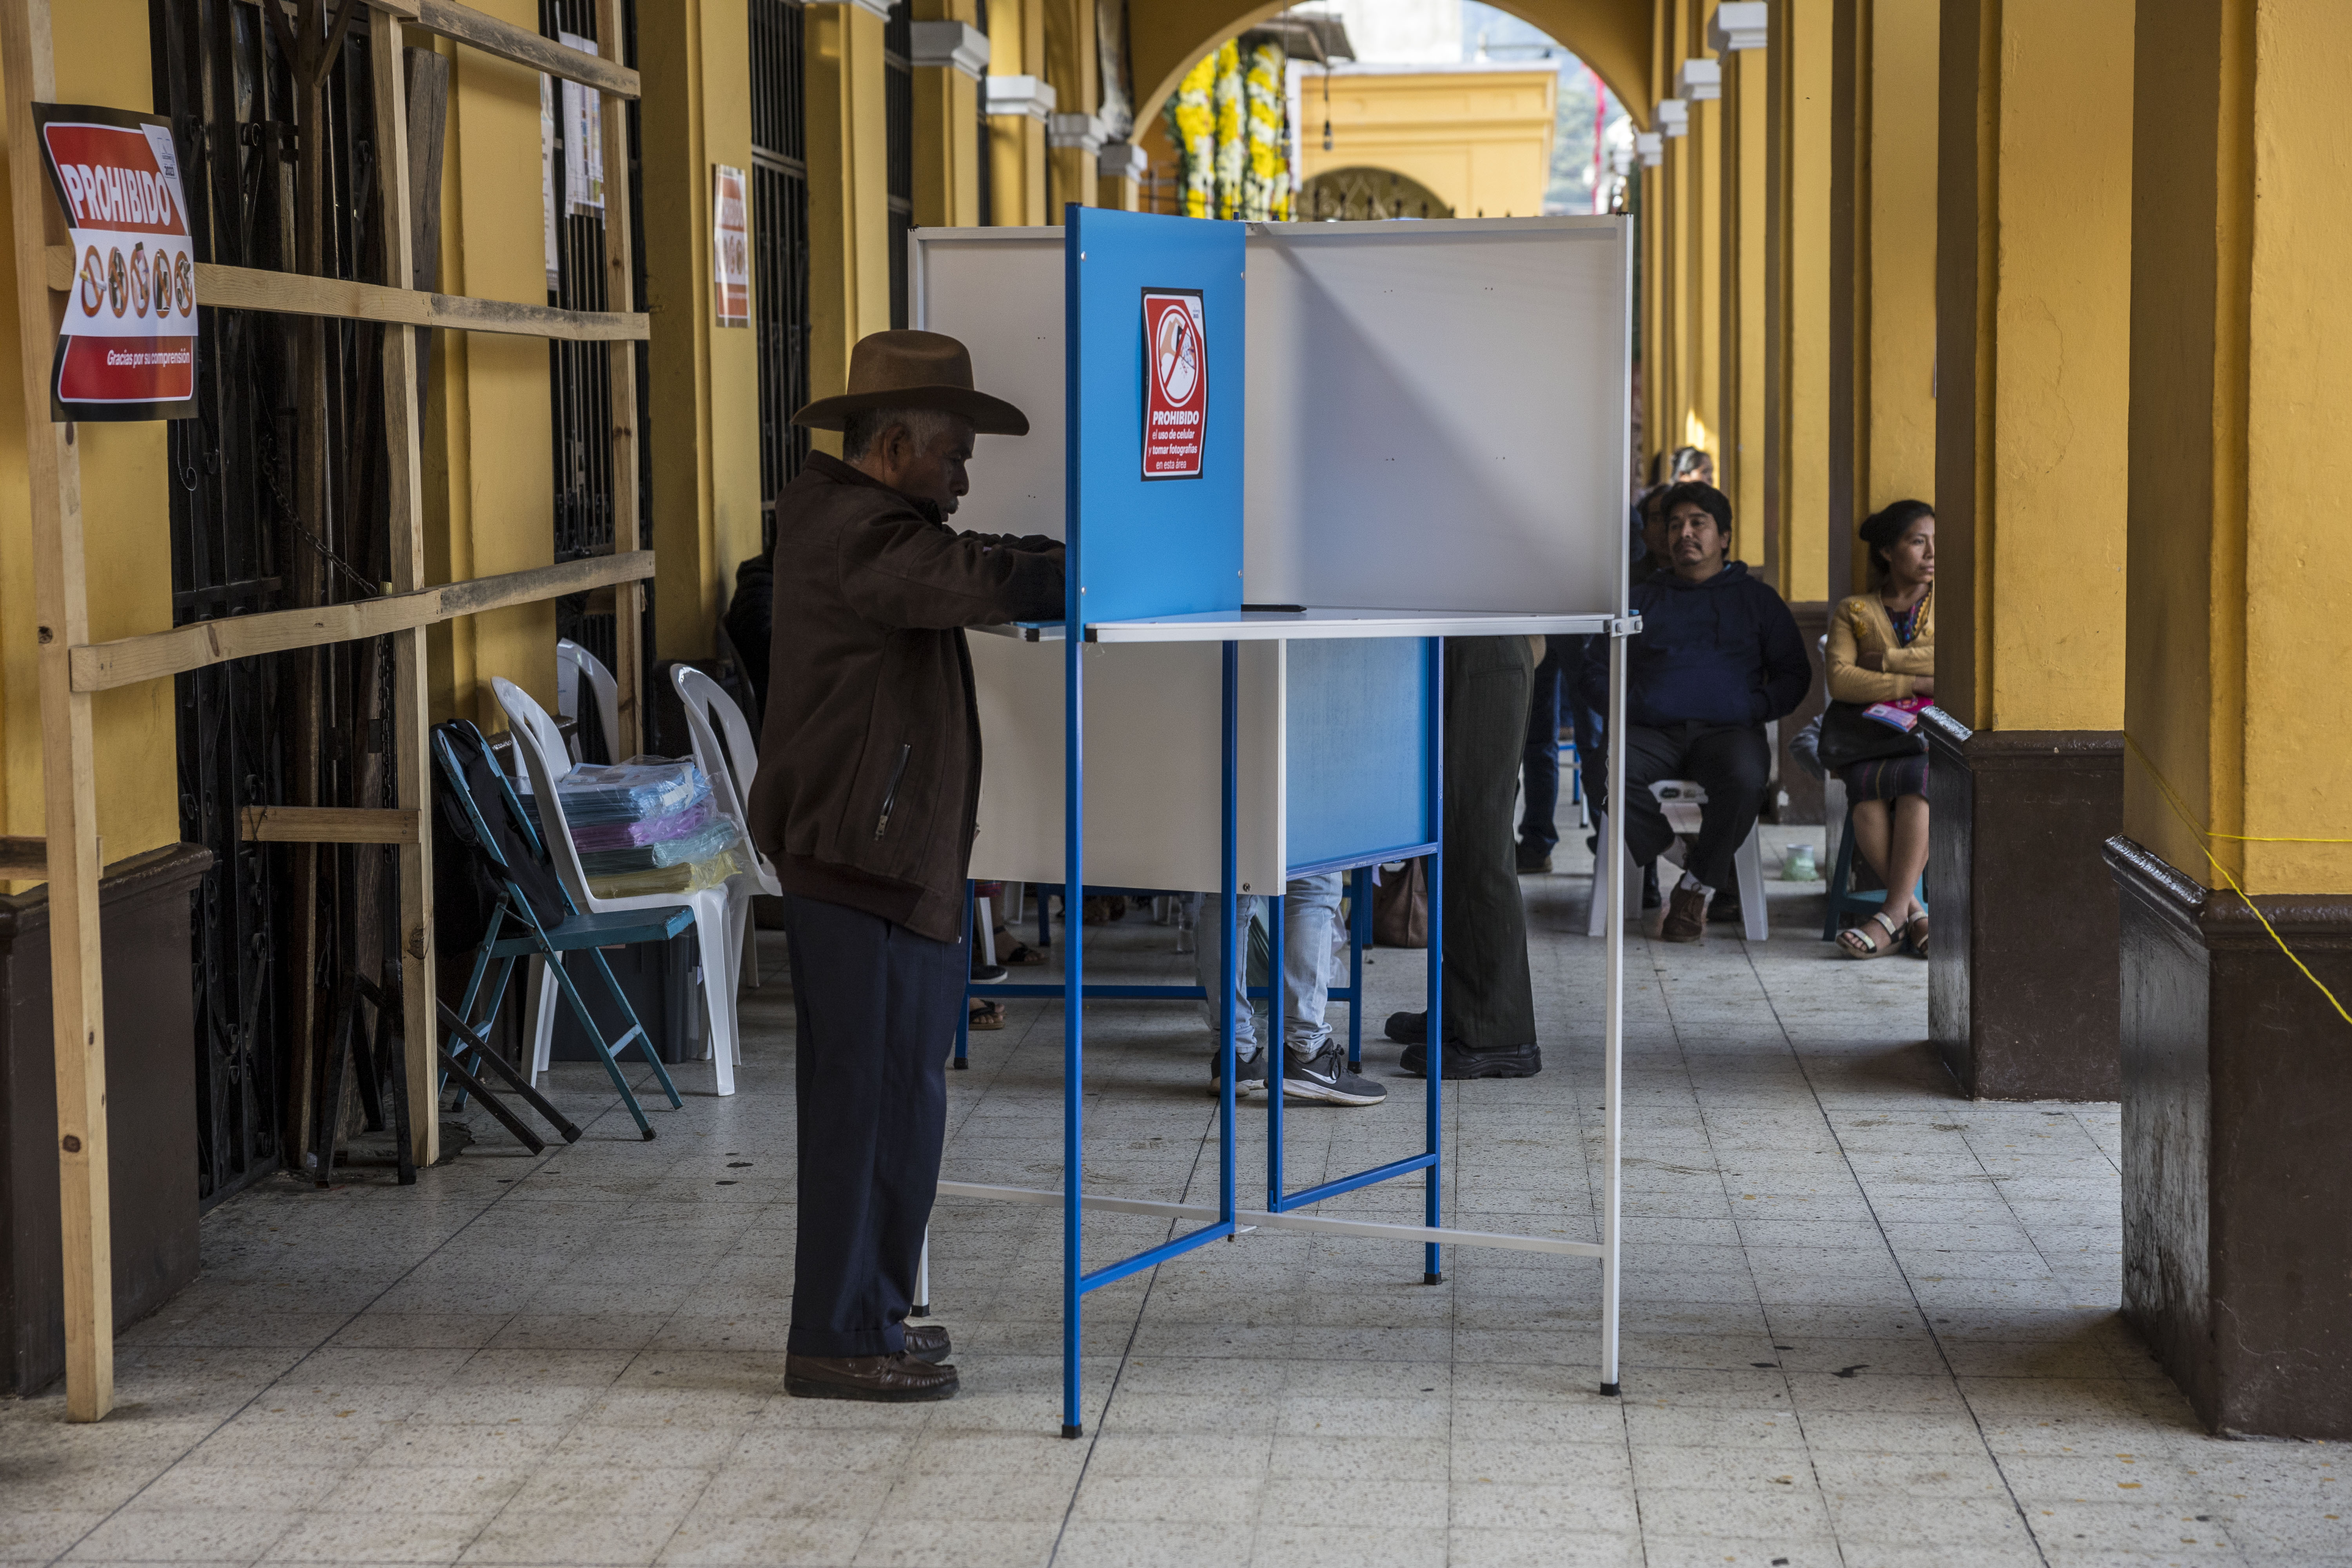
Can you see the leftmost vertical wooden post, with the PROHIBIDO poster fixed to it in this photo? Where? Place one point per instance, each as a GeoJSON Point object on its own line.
{"type": "Point", "coordinates": [67, 746]}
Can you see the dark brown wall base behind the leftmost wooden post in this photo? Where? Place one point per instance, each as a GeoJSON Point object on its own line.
{"type": "Point", "coordinates": [149, 1000]}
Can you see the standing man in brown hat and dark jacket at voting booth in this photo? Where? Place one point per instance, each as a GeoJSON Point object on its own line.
{"type": "Point", "coordinates": [867, 800]}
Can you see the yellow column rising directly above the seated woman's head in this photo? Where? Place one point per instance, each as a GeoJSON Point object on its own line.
{"type": "Point", "coordinates": [1883, 370]}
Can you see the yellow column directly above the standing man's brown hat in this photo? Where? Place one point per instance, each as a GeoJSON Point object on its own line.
{"type": "Point", "coordinates": [848, 192]}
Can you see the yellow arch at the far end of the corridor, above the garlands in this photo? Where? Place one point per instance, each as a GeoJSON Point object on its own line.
{"type": "Point", "coordinates": [1165, 39]}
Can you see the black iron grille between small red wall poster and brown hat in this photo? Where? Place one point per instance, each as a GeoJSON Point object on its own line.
{"type": "Point", "coordinates": [780, 215]}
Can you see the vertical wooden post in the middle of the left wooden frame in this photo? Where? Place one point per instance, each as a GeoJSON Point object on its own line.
{"type": "Point", "coordinates": [403, 469]}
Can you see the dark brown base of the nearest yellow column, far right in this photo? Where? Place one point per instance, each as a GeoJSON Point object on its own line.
{"type": "Point", "coordinates": [2238, 1085]}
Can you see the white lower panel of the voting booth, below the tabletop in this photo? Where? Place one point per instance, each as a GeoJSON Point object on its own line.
{"type": "Point", "coordinates": [1154, 763]}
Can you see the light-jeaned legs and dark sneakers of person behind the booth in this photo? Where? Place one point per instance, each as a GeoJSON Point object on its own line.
{"type": "Point", "coordinates": [1314, 1064]}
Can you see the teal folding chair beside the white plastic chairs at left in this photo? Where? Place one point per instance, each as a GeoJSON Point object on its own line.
{"type": "Point", "coordinates": [516, 927]}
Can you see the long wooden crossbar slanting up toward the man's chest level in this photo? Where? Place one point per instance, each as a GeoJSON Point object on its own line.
{"type": "Point", "coordinates": [102, 666]}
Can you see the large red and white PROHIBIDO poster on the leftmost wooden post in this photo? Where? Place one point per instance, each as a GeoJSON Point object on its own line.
{"type": "Point", "coordinates": [128, 342]}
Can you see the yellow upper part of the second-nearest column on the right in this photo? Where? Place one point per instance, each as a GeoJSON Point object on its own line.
{"type": "Point", "coordinates": [2033, 363]}
